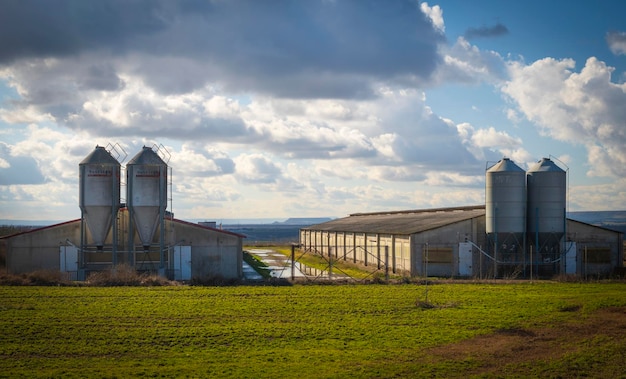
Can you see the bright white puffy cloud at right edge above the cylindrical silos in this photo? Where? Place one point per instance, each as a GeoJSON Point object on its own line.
{"type": "Point", "coordinates": [583, 107]}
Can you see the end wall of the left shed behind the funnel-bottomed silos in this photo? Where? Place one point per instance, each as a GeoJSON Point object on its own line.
{"type": "Point", "coordinates": [214, 253]}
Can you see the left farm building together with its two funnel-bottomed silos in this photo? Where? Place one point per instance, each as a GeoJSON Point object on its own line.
{"type": "Point", "coordinates": [140, 233]}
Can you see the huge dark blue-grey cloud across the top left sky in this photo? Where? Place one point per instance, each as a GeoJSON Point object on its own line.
{"type": "Point", "coordinates": [312, 49]}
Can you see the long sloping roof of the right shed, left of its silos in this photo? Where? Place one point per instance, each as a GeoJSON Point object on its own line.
{"type": "Point", "coordinates": [400, 222]}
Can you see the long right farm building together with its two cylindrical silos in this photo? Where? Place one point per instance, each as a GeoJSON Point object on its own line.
{"type": "Point", "coordinates": [521, 231]}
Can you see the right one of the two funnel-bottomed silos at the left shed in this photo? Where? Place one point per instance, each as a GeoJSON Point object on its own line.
{"type": "Point", "coordinates": [146, 199]}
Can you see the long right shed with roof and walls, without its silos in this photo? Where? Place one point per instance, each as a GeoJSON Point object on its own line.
{"type": "Point", "coordinates": [452, 242]}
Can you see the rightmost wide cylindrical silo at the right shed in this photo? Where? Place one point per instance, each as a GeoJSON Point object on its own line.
{"type": "Point", "coordinates": [547, 192]}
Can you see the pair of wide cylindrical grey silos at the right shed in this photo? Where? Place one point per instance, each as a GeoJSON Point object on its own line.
{"type": "Point", "coordinates": [526, 215]}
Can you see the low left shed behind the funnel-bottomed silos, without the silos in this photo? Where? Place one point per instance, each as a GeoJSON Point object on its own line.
{"type": "Point", "coordinates": [191, 251]}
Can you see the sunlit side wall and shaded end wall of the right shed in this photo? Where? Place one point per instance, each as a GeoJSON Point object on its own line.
{"type": "Point", "coordinates": [436, 252]}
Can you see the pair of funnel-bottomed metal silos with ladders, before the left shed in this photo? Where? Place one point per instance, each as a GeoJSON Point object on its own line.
{"type": "Point", "coordinates": [100, 201]}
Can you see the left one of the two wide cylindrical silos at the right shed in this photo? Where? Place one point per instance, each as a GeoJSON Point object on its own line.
{"type": "Point", "coordinates": [505, 206]}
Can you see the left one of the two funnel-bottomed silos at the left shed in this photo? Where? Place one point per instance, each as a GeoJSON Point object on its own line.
{"type": "Point", "coordinates": [99, 196]}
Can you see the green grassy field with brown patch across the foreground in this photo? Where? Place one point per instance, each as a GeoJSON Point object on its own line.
{"type": "Point", "coordinates": [540, 329]}
